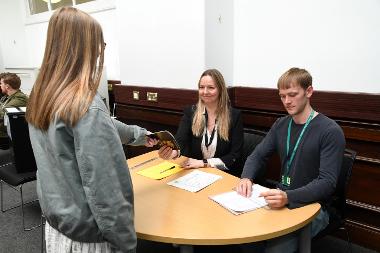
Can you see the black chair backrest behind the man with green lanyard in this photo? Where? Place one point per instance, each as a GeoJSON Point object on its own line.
{"type": "Point", "coordinates": [339, 197]}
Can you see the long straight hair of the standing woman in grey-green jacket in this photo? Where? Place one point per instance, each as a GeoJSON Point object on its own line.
{"type": "Point", "coordinates": [69, 77]}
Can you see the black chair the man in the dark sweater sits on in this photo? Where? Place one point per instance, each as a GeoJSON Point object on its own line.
{"type": "Point", "coordinates": [338, 204]}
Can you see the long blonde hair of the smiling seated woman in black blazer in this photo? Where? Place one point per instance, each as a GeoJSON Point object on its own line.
{"type": "Point", "coordinates": [223, 109]}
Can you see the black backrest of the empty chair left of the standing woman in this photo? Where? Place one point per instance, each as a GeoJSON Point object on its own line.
{"type": "Point", "coordinates": [22, 148]}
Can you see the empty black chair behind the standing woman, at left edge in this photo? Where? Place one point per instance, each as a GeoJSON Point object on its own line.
{"type": "Point", "coordinates": [21, 167]}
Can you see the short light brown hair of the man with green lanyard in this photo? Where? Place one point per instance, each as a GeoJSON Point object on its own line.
{"type": "Point", "coordinates": [295, 76]}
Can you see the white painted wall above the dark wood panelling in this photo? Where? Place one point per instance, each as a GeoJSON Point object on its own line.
{"type": "Point", "coordinates": [169, 43]}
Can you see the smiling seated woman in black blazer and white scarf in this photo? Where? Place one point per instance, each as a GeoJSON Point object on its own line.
{"type": "Point", "coordinates": [210, 132]}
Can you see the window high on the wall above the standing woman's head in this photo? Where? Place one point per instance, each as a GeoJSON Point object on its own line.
{"type": "Point", "coordinates": [40, 6]}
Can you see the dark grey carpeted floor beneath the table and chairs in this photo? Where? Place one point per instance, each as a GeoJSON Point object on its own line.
{"type": "Point", "coordinates": [14, 240]}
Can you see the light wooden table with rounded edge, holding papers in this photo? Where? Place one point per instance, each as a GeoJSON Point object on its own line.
{"type": "Point", "coordinates": [168, 214]}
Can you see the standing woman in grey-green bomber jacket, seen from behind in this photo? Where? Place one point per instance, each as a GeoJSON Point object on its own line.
{"type": "Point", "coordinates": [83, 183]}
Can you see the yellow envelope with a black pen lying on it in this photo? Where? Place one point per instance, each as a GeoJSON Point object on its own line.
{"type": "Point", "coordinates": [161, 170]}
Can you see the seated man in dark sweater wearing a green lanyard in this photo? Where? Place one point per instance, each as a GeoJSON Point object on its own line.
{"type": "Point", "coordinates": [311, 148]}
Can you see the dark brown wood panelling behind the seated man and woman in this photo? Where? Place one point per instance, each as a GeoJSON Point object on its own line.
{"type": "Point", "coordinates": [357, 113]}
